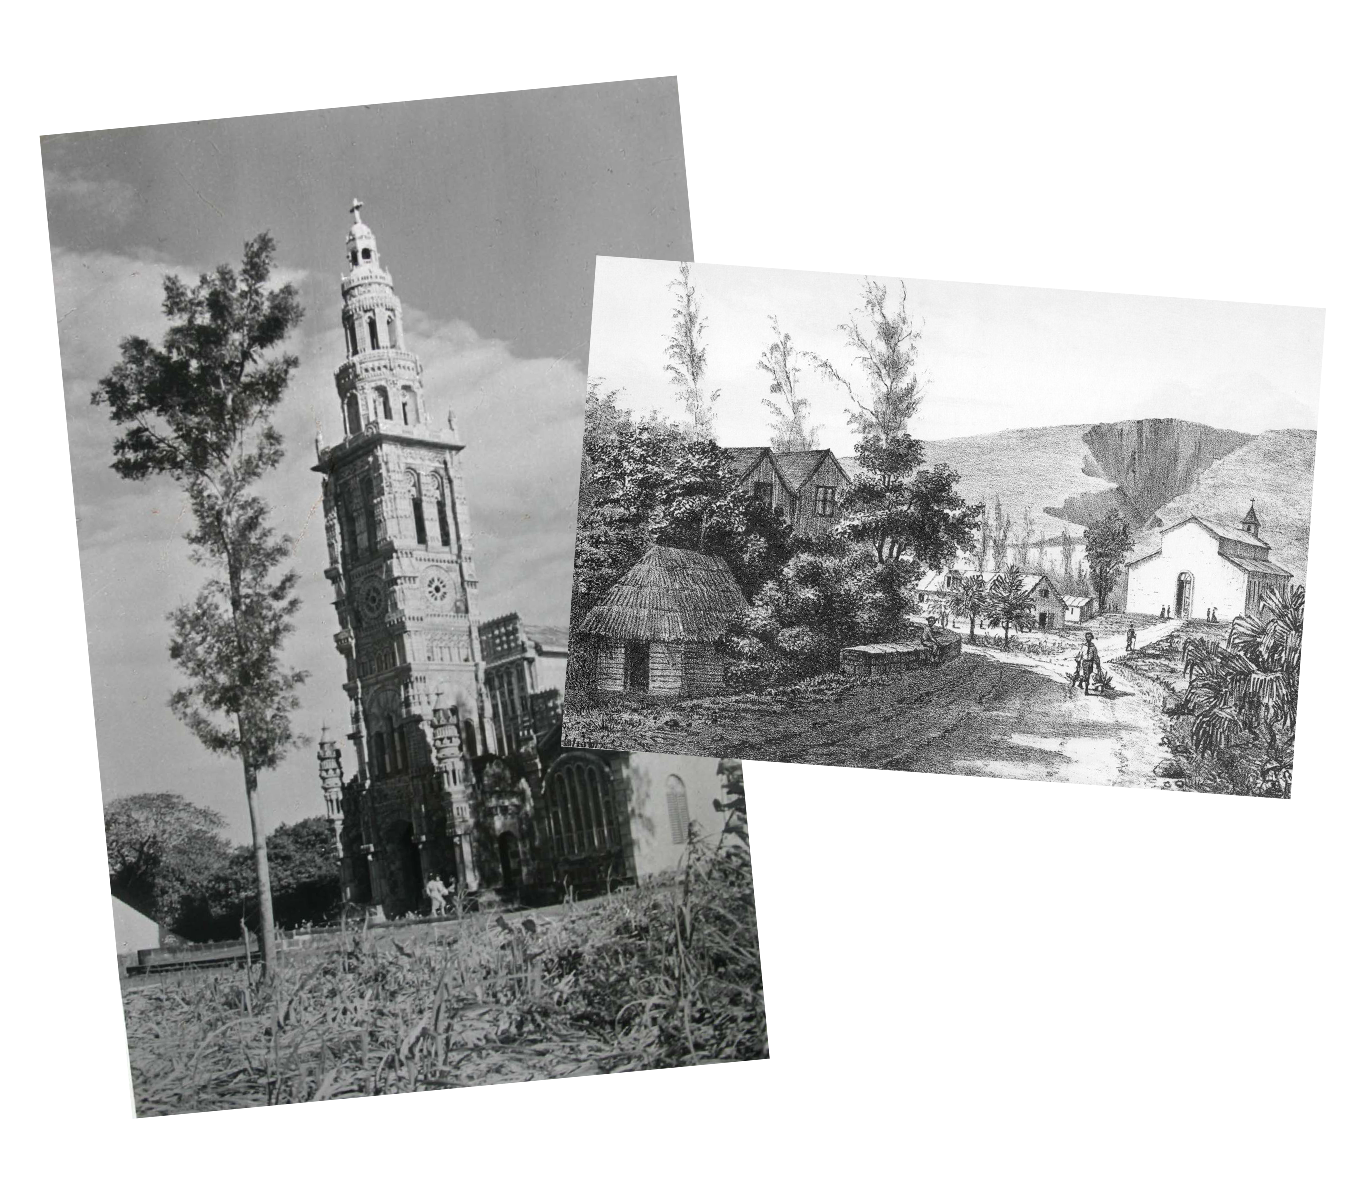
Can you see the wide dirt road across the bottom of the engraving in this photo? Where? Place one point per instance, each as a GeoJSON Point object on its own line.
{"type": "Point", "coordinates": [994, 713]}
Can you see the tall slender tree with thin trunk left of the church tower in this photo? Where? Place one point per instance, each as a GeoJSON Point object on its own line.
{"type": "Point", "coordinates": [198, 410]}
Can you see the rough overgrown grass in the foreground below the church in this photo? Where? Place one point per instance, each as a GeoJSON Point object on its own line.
{"type": "Point", "coordinates": [654, 975]}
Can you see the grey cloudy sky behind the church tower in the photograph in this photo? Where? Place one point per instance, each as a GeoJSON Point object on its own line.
{"type": "Point", "coordinates": [489, 216]}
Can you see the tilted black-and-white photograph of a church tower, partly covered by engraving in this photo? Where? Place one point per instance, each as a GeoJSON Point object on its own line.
{"type": "Point", "coordinates": [331, 385]}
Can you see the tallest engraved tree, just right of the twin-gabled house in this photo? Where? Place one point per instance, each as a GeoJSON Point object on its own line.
{"type": "Point", "coordinates": [895, 504]}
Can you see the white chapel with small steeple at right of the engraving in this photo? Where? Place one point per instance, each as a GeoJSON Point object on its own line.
{"type": "Point", "coordinates": [1204, 566]}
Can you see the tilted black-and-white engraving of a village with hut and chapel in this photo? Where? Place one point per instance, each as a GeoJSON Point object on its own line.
{"type": "Point", "coordinates": [816, 523]}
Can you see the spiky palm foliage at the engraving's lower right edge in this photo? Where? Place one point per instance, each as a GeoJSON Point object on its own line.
{"type": "Point", "coordinates": [1249, 688]}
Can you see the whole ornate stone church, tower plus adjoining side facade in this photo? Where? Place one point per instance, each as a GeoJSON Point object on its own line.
{"type": "Point", "coordinates": [440, 789]}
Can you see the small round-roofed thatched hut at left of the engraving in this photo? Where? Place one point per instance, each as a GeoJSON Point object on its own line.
{"type": "Point", "coordinates": [657, 630]}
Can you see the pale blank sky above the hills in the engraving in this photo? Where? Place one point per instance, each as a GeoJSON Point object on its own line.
{"type": "Point", "coordinates": [995, 357]}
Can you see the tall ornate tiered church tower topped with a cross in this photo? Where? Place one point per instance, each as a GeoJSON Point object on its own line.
{"type": "Point", "coordinates": [402, 566]}
